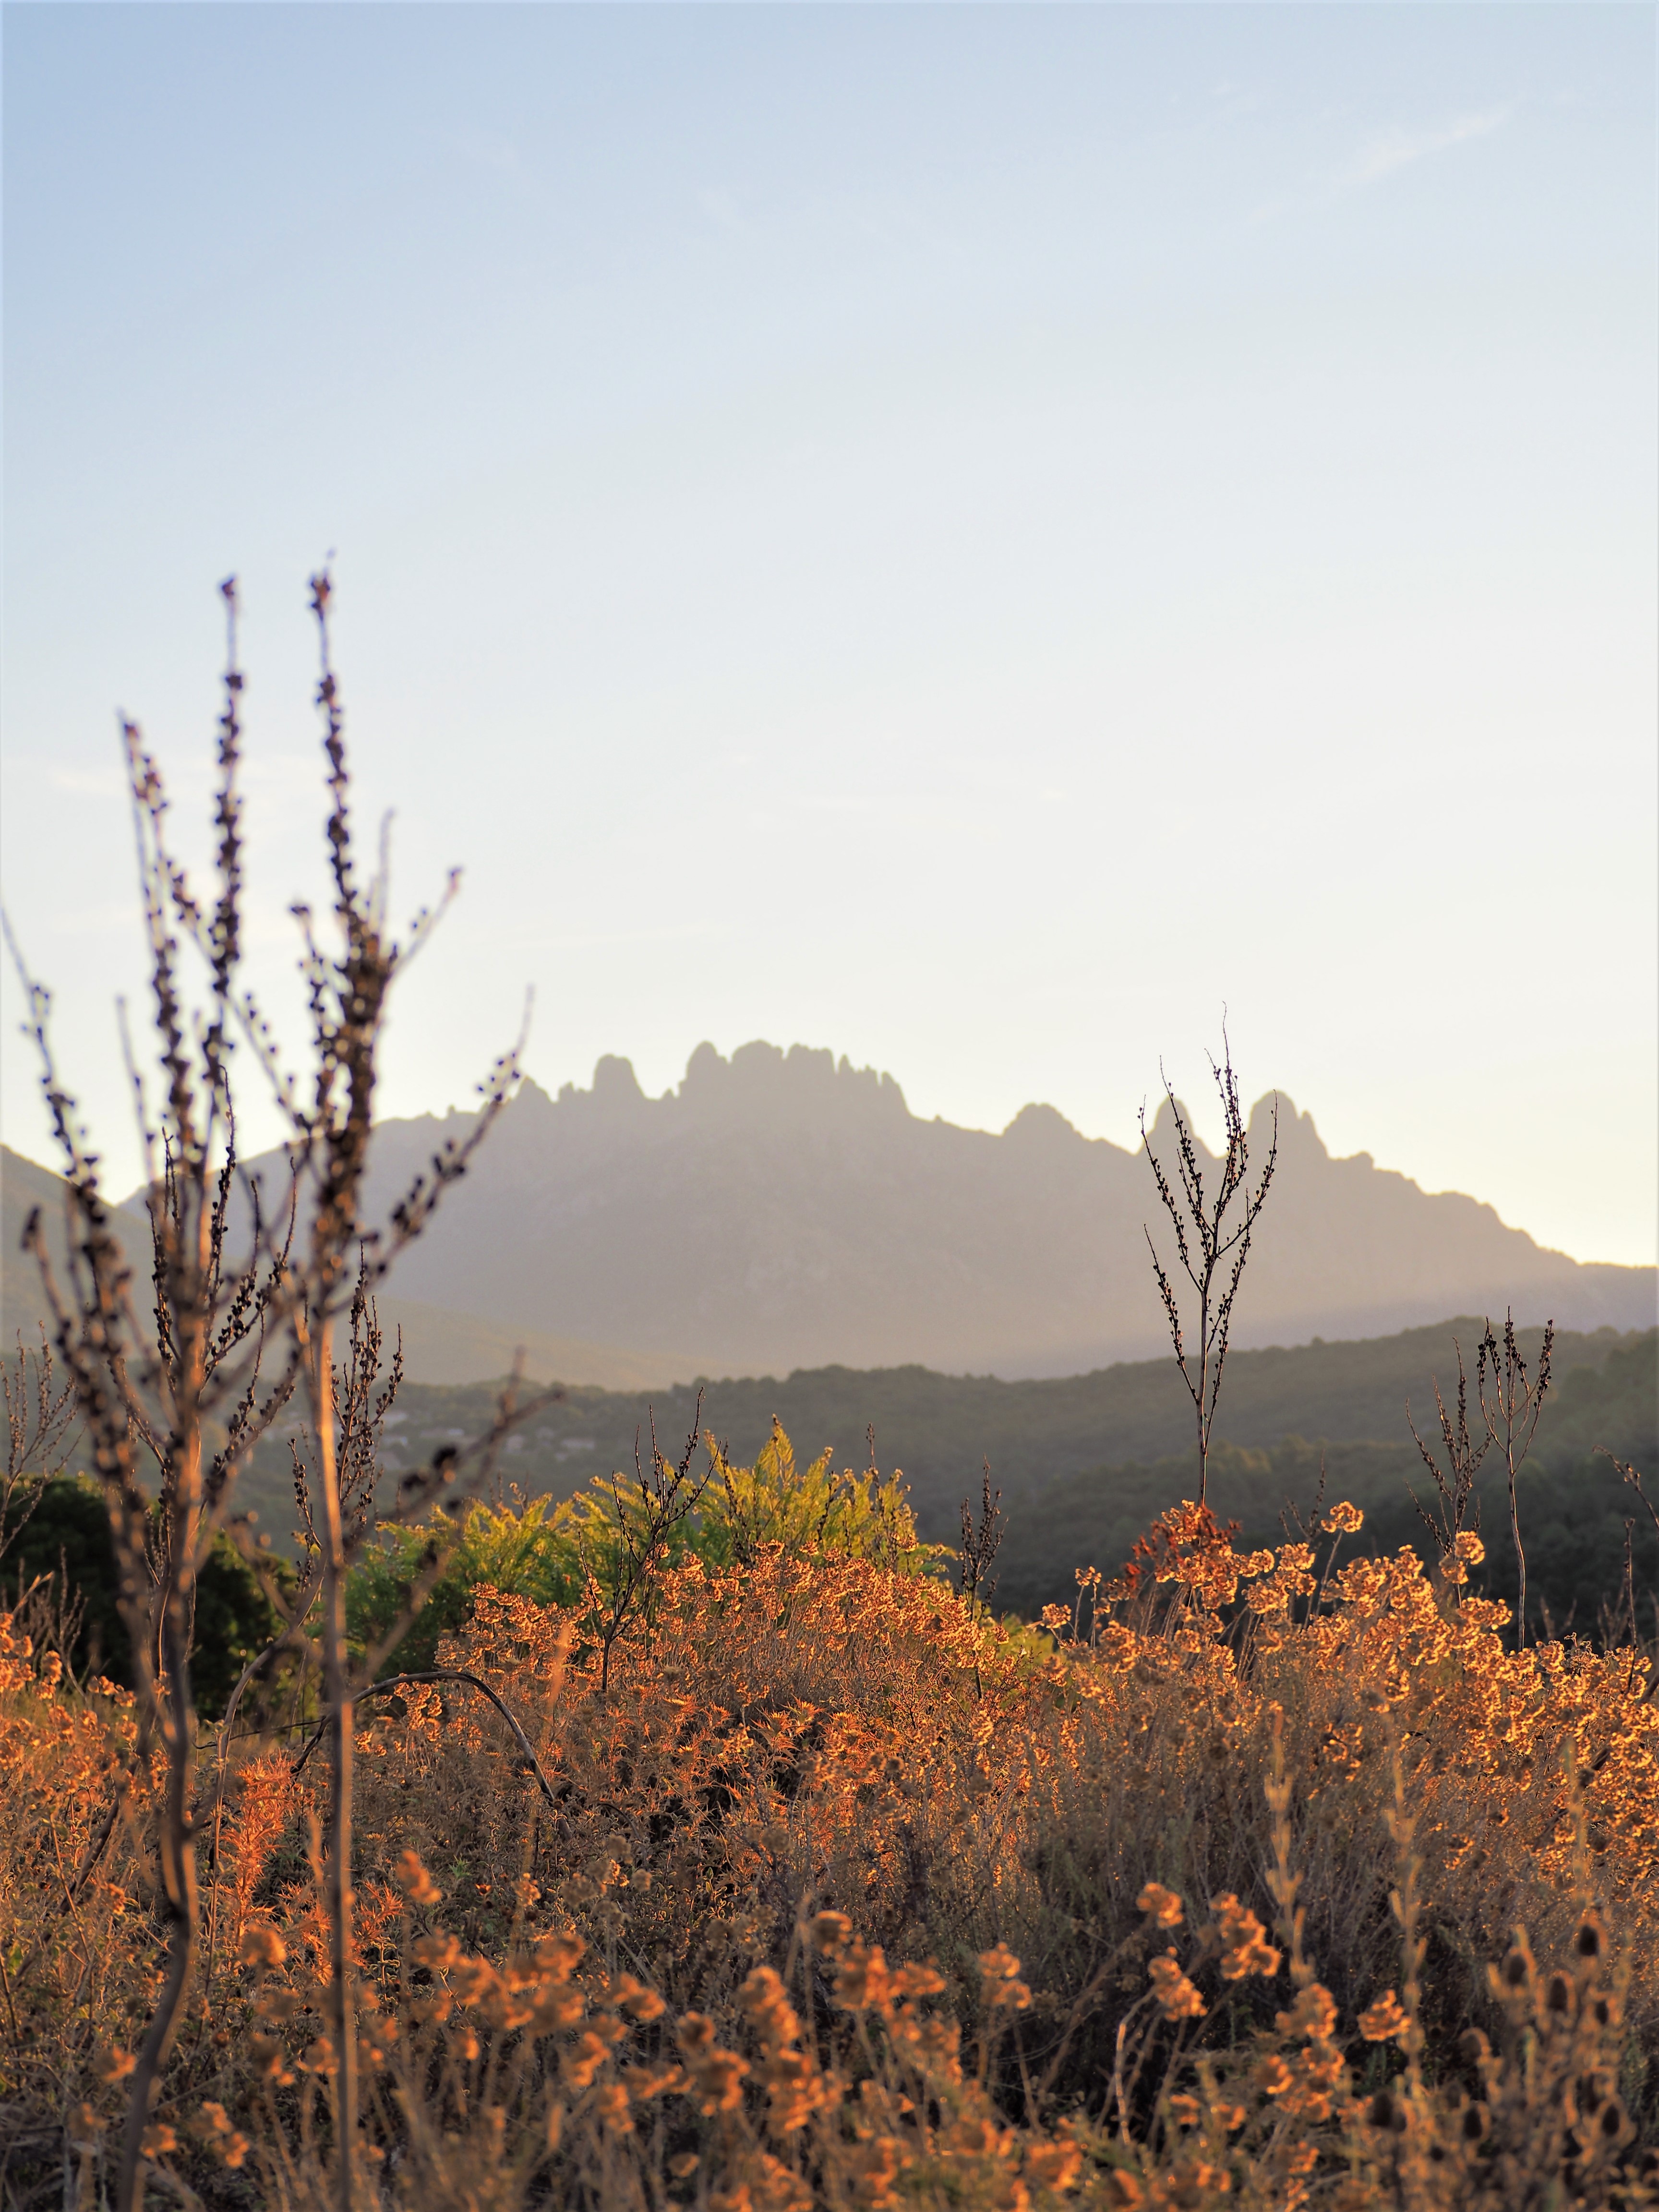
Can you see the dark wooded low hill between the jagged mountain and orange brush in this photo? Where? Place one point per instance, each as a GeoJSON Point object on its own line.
{"type": "Point", "coordinates": [1087, 1463]}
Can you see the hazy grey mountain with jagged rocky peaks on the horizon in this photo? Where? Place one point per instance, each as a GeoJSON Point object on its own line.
{"type": "Point", "coordinates": [786, 1211]}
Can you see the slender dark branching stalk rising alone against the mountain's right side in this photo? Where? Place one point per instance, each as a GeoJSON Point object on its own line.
{"type": "Point", "coordinates": [1211, 1249]}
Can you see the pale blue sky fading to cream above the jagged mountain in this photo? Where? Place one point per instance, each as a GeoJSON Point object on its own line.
{"type": "Point", "coordinates": [974, 536]}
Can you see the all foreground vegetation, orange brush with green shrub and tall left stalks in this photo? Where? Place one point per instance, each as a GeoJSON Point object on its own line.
{"type": "Point", "coordinates": [709, 1839]}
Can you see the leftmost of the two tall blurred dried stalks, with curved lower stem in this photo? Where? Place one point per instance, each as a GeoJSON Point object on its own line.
{"type": "Point", "coordinates": [154, 1392]}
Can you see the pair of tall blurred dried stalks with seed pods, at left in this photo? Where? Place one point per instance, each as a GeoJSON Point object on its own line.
{"type": "Point", "coordinates": [244, 1315]}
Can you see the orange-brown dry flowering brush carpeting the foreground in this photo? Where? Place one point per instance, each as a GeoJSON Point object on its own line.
{"type": "Point", "coordinates": [1280, 1884]}
